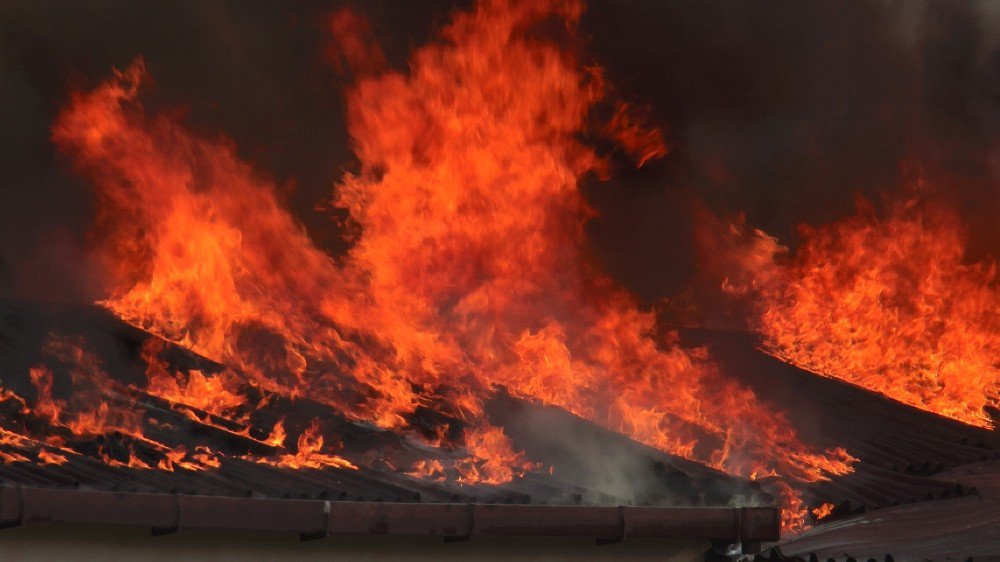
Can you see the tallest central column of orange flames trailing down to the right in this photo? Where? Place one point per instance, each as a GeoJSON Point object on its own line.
{"type": "Point", "coordinates": [471, 222]}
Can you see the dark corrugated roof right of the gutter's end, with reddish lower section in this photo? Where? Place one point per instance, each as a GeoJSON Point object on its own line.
{"type": "Point", "coordinates": [925, 487]}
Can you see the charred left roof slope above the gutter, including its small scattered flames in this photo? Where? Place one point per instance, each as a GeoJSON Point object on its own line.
{"type": "Point", "coordinates": [172, 445]}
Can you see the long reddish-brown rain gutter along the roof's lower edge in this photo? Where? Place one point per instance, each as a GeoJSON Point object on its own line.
{"type": "Point", "coordinates": [165, 513]}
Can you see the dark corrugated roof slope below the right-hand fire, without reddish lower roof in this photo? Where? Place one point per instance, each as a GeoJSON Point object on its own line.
{"type": "Point", "coordinates": [902, 450]}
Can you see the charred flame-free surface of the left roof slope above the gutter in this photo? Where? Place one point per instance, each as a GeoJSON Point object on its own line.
{"type": "Point", "coordinates": [590, 465]}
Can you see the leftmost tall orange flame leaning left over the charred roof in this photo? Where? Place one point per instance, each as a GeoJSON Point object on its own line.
{"type": "Point", "coordinates": [203, 255]}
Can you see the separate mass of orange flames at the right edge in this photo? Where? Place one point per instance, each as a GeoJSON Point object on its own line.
{"type": "Point", "coordinates": [891, 304]}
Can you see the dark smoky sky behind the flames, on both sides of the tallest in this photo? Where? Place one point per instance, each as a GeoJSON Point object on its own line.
{"type": "Point", "coordinates": [783, 110]}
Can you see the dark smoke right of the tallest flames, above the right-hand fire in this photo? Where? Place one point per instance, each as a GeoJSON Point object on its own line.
{"type": "Point", "coordinates": [787, 110]}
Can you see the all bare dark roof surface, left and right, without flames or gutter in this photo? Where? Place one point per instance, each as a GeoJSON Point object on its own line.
{"type": "Point", "coordinates": [906, 456]}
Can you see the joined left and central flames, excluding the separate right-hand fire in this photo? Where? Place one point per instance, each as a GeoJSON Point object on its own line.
{"type": "Point", "coordinates": [468, 271]}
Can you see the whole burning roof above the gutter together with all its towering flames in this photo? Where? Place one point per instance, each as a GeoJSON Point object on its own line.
{"type": "Point", "coordinates": [466, 345]}
